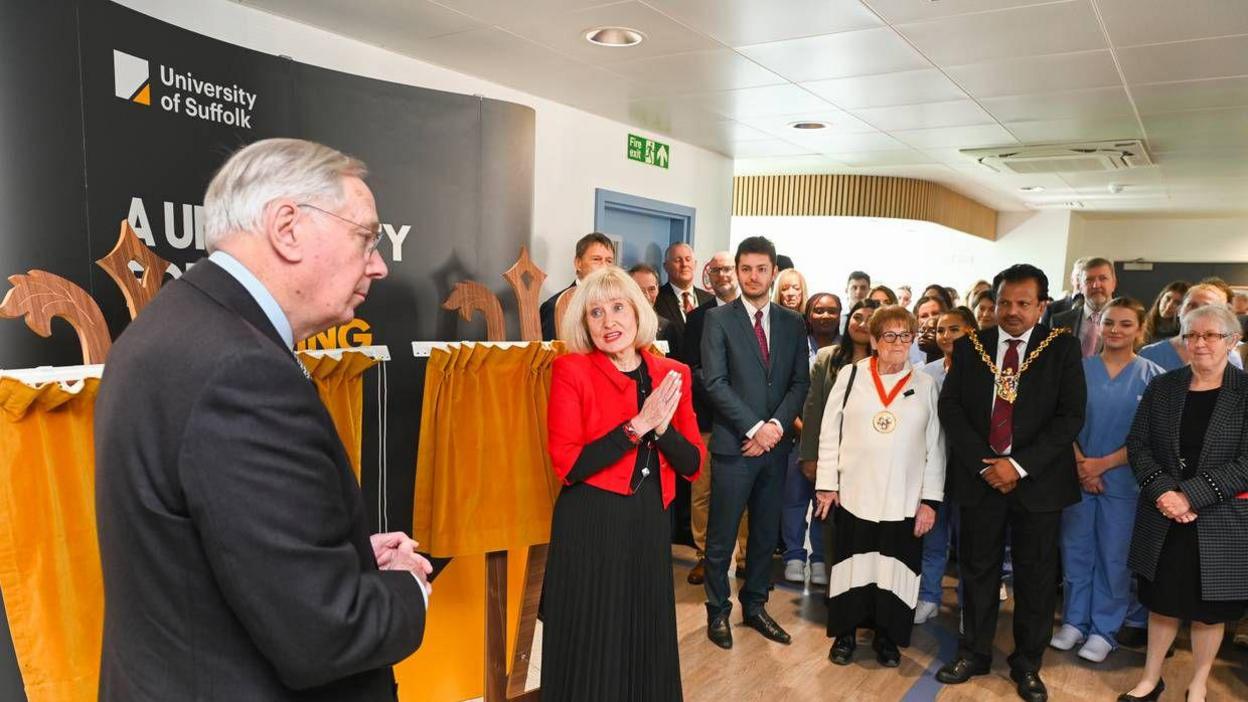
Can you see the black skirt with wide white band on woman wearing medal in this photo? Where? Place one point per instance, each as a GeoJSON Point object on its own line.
{"type": "Point", "coordinates": [875, 578]}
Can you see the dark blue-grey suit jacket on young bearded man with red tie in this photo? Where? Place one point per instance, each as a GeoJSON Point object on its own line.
{"type": "Point", "coordinates": [743, 390]}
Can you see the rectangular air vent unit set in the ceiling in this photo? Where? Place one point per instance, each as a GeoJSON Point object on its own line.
{"type": "Point", "coordinates": [1083, 158]}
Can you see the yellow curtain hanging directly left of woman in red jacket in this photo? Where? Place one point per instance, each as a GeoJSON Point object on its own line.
{"type": "Point", "coordinates": [484, 479]}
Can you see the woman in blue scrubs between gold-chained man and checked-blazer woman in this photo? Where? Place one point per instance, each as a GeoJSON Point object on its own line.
{"type": "Point", "coordinates": [1096, 533]}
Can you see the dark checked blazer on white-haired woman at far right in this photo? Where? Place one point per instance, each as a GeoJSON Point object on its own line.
{"type": "Point", "coordinates": [1222, 518]}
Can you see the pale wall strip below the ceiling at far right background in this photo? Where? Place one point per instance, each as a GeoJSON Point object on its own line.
{"type": "Point", "coordinates": [1160, 239]}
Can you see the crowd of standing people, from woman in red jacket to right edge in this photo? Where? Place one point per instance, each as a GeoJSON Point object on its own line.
{"type": "Point", "coordinates": [888, 447]}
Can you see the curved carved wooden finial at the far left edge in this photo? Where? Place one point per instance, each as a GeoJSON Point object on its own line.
{"type": "Point", "coordinates": [41, 297]}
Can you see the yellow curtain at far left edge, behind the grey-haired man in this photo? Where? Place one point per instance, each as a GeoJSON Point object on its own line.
{"type": "Point", "coordinates": [49, 554]}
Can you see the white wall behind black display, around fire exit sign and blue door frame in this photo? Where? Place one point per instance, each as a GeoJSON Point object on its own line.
{"type": "Point", "coordinates": [576, 152]}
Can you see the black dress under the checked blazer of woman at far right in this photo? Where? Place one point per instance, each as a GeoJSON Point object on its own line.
{"type": "Point", "coordinates": [1176, 591]}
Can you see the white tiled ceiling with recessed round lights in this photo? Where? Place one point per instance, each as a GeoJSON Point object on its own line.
{"type": "Point", "coordinates": [904, 83]}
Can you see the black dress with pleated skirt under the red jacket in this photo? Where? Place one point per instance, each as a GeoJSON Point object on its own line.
{"type": "Point", "coordinates": [610, 620]}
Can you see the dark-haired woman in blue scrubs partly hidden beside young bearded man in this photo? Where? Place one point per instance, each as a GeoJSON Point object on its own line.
{"type": "Point", "coordinates": [823, 325]}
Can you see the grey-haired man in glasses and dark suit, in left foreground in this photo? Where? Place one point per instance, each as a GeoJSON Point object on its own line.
{"type": "Point", "coordinates": [238, 563]}
